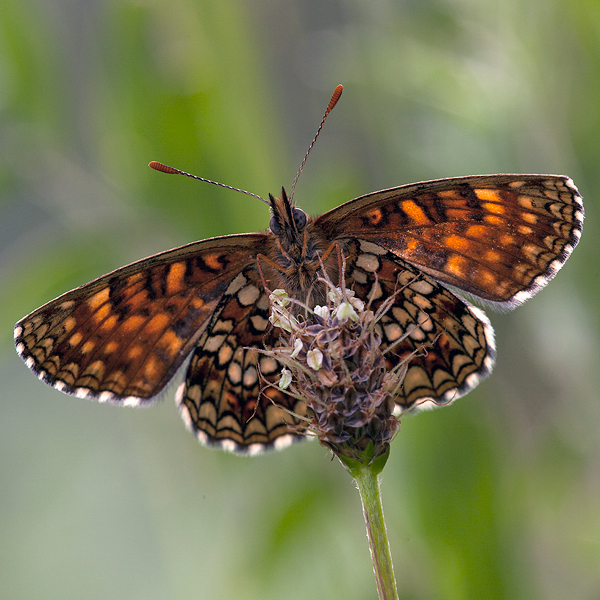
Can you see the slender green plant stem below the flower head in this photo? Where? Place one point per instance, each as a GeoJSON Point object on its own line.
{"type": "Point", "coordinates": [367, 481]}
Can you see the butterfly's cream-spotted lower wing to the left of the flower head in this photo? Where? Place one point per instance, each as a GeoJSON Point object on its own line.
{"type": "Point", "coordinates": [228, 398]}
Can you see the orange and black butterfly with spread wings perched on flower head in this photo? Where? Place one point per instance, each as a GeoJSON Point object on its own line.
{"type": "Point", "coordinates": [204, 307]}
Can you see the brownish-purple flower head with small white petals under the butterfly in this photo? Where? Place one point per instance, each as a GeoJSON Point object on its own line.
{"type": "Point", "coordinates": [334, 362]}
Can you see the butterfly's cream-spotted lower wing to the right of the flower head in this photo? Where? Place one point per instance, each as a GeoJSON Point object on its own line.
{"type": "Point", "coordinates": [447, 344]}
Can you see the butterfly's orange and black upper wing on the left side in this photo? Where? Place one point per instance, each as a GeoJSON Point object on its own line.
{"type": "Point", "coordinates": [122, 337]}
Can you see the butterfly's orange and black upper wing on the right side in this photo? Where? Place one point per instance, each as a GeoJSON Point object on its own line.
{"type": "Point", "coordinates": [500, 238]}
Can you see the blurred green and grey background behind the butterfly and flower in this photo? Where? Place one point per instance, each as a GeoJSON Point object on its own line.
{"type": "Point", "coordinates": [495, 497]}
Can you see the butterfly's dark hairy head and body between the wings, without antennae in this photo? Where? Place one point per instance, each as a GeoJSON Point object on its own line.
{"type": "Point", "coordinates": [298, 253]}
